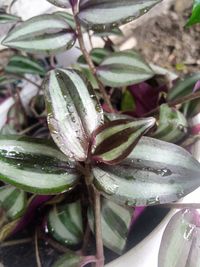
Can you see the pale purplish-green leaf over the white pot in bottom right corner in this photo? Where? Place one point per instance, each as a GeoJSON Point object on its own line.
{"type": "Point", "coordinates": [179, 242]}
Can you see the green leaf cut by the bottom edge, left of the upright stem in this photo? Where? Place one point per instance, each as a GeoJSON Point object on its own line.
{"type": "Point", "coordinates": [70, 259]}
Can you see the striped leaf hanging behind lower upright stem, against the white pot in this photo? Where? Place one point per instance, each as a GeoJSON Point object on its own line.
{"type": "Point", "coordinates": [115, 222]}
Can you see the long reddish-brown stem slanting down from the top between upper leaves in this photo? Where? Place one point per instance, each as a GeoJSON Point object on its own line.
{"type": "Point", "coordinates": [89, 60]}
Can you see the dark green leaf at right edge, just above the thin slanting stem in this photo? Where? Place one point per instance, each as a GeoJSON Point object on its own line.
{"type": "Point", "coordinates": [183, 87]}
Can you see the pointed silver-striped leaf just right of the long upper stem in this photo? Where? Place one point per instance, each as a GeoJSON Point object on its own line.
{"type": "Point", "coordinates": [123, 69]}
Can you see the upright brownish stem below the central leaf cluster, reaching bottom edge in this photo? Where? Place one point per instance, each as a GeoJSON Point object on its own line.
{"type": "Point", "coordinates": [98, 229]}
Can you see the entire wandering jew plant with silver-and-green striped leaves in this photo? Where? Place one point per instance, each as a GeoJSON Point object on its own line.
{"type": "Point", "coordinates": [96, 166]}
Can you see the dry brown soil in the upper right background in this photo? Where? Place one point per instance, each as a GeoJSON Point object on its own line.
{"type": "Point", "coordinates": [164, 40]}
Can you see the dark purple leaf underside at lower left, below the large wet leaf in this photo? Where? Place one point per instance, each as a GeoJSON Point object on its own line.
{"type": "Point", "coordinates": [31, 212]}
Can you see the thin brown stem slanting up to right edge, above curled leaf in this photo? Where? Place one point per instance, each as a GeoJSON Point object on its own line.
{"type": "Point", "coordinates": [176, 102]}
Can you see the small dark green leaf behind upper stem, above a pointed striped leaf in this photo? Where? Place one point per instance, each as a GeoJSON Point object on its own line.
{"type": "Point", "coordinates": [97, 56]}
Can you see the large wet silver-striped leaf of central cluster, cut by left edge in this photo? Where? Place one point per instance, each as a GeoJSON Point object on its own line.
{"type": "Point", "coordinates": [35, 166]}
